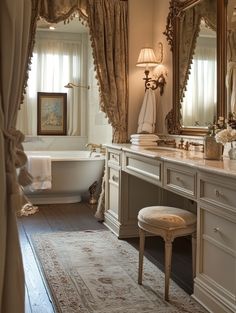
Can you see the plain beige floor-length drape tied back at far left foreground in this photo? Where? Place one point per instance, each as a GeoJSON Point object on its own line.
{"type": "Point", "coordinates": [15, 26]}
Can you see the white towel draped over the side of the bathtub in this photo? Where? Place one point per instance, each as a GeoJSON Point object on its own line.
{"type": "Point", "coordinates": [40, 169]}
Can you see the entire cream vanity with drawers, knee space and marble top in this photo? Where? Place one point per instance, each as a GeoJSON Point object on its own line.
{"type": "Point", "coordinates": [136, 179]}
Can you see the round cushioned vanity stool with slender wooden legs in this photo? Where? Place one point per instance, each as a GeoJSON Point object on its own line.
{"type": "Point", "coordinates": [169, 223]}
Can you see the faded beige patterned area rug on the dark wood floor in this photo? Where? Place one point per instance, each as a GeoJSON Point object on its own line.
{"type": "Point", "coordinates": [94, 272]}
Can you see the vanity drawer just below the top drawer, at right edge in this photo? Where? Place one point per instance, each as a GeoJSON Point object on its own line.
{"type": "Point", "coordinates": [219, 230]}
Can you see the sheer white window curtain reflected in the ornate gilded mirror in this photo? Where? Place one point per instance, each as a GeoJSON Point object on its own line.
{"type": "Point", "coordinates": [199, 103]}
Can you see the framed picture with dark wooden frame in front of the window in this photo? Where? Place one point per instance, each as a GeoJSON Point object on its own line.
{"type": "Point", "coordinates": [51, 117]}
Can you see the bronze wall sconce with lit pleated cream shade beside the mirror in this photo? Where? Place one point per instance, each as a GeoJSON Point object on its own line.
{"type": "Point", "coordinates": [148, 59]}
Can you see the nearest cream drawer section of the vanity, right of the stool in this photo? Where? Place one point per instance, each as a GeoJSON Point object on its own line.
{"type": "Point", "coordinates": [215, 282]}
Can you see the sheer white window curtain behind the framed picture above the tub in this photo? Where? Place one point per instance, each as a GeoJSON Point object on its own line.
{"type": "Point", "coordinates": [55, 62]}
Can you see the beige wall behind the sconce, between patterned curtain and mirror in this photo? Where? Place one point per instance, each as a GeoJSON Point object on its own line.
{"type": "Point", "coordinates": [147, 21]}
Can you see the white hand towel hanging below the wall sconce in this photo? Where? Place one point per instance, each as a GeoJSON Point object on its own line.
{"type": "Point", "coordinates": [147, 115]}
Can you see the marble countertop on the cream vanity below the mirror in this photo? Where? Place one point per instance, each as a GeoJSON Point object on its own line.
{"type": "Point", "coordinates": [191, 158]}
